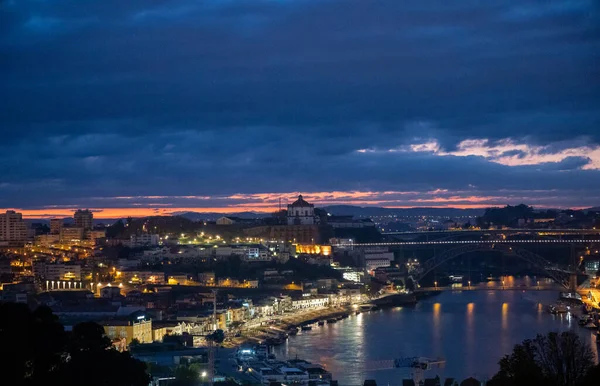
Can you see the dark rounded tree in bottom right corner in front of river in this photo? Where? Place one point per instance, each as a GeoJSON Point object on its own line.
{"type": "Point", "coordinates": [555, 359]}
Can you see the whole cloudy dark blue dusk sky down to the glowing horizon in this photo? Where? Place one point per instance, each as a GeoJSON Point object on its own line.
{"type": "Point", "coordinates": [142, 106]}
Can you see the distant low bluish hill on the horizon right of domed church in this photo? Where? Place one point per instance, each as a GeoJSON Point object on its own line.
{"type": "Point", "coordinates": [371, 211]}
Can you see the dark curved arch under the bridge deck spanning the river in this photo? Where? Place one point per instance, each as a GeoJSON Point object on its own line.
{"type": "Point", "coordinates": [561, 277]}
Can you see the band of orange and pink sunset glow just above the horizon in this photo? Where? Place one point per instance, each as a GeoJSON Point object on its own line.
{"type": "Point", "coordinates": [142, 206]}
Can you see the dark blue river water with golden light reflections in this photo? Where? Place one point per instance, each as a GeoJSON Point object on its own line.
{"type": "Point", "coordinates": [472, 330]}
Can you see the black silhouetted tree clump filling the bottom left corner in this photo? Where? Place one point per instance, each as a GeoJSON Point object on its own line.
{"type": "Point", "coordinates": [40, 352]}
